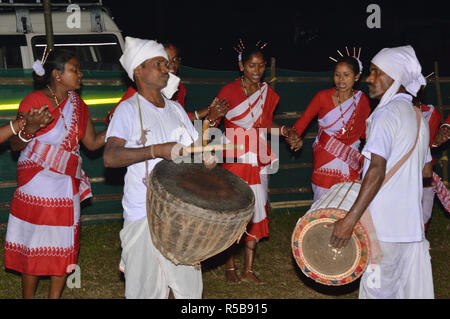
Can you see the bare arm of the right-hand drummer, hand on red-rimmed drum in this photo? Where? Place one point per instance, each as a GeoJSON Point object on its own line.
{"type": "Point", "coordinates": [371, 184]}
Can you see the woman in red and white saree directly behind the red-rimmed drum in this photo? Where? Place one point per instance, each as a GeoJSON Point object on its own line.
{"type": "Point", "coordinates": [342, 114]}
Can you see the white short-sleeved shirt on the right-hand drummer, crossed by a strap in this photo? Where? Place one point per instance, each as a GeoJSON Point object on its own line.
{"type": "Point", "coordinates": [391, 132]}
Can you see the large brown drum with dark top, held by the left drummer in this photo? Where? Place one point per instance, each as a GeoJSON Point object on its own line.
{"type": "Point", "coordinates": [194, 212]}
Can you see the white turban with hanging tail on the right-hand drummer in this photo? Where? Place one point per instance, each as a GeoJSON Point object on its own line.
{"type": "Point", "coordinates": [402, 66]}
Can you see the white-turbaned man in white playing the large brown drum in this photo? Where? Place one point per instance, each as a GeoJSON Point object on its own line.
{"type": "Point", "coordinates": [146, 128]}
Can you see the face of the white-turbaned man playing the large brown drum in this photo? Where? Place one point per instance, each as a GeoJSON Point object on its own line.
{"type": "Point", "coordinates": [153, 73]}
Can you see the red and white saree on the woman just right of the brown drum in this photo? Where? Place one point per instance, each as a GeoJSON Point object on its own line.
{"type": "Point", "coordinates": [247, 122]}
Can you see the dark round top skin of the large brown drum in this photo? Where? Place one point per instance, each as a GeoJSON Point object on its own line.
{"type": "Point", "coordinates": [213, 189]}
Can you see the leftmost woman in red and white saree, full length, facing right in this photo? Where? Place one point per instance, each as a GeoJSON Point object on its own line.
{"type": "Point", "coordinates": [43, 231]}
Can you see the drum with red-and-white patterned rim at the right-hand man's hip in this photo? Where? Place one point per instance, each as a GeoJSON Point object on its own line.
{"type": "Point", "coordinates": [311, 237]}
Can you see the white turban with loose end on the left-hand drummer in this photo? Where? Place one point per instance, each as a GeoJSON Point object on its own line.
{"type": "Point", "coordinates": [140, 50]}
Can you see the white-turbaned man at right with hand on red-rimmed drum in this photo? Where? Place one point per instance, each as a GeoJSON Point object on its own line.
{"type": "Point", "coordinates": [397, 137]}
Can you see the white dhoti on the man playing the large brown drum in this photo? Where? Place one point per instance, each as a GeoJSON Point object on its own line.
{"type": "Point", "coordinates": [148, 274]}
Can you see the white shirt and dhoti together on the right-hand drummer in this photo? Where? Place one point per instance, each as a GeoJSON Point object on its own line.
{"type": "Point", "coordinates": [405, 269]}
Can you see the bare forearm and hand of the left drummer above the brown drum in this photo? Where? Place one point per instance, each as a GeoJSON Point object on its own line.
{"type": "Point", "coordinates": [117, 155]}
